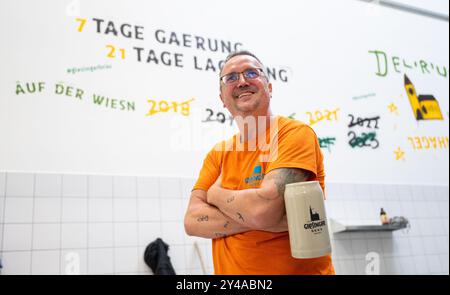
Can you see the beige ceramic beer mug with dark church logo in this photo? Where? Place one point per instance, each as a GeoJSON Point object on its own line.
{"type": "Point", "coordinates": [307, 221]}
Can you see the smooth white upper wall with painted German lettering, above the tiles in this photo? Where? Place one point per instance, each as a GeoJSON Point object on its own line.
{"type": "Point", "coordinates": [325, 55]}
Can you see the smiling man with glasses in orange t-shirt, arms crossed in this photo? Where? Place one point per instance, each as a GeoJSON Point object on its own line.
{"type": "Point", "coordinates": [238, 200]}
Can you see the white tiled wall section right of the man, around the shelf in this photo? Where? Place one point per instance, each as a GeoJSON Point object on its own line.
{"type": "Point", "coordinates": [413, 251]}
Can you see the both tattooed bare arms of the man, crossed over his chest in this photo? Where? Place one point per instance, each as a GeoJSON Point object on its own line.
{"type": "Point", "coordinates": [222, 212]}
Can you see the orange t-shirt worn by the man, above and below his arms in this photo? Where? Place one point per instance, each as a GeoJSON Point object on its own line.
{"type": "Point", "coordinates": [261, 252]}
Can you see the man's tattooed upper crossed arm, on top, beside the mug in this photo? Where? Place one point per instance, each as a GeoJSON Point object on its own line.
{"type": "Point", "coordinates": [260, 208]}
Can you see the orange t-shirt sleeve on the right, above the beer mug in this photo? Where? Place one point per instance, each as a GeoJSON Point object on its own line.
{"type": "Point", "coordinates": [298, 148]}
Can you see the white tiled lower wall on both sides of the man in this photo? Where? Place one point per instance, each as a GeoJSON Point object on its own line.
{"type": "Point", "coordinates": [80, 224]}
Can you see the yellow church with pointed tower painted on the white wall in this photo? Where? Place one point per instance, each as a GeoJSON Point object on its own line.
{"type": "Point", "coordinates": [425, 107]}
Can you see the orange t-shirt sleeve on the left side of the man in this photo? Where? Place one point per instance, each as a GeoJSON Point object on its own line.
{"type": "Point", "coordinates": [210, 171]}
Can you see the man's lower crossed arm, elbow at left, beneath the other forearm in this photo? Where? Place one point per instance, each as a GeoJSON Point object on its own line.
{"type": "Point", "coordinates": [206, 221]}
